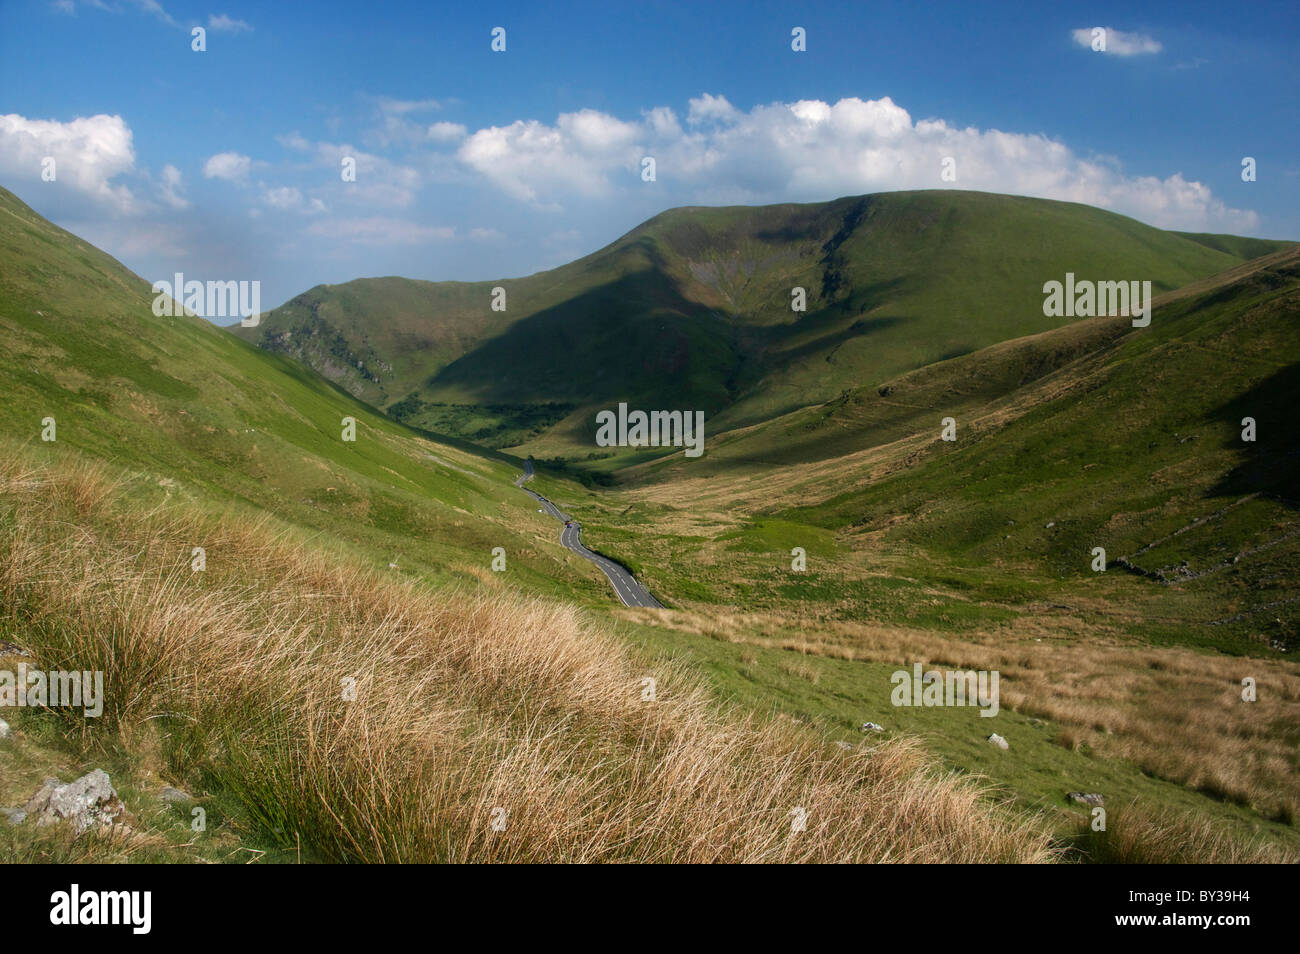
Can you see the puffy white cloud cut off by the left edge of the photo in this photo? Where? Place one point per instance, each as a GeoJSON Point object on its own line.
{"type": "Point", "coordinates": [89, 153]}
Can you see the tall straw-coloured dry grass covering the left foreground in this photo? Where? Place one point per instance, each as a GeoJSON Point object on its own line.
{"type": "Point", "coordinates": [466, 706]}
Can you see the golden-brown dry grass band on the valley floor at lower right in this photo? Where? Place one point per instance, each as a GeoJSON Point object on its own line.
{"type": "Point", "coordinates": [1175, 712]}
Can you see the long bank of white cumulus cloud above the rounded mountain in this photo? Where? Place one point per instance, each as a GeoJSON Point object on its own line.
{"type": "Point", "coordinates": [809, 151]}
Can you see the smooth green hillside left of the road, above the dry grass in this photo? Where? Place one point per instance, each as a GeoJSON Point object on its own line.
{"type": "Point", "coordinates": [187, 410]}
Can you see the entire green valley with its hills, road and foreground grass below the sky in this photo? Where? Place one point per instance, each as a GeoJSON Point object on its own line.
{"type": "Point", "coordinates": [826, 539]}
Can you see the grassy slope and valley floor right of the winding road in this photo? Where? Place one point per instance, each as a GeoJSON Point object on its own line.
{"type": "Point", "coordinates": [921, 550]}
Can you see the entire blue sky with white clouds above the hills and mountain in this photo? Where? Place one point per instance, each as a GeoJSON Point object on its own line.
{"type": "Point", "coordinates": [474, 164]}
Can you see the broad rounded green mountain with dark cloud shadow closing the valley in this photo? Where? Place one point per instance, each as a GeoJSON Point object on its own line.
{"type": "Point", "coordinates": [694, 310]}
